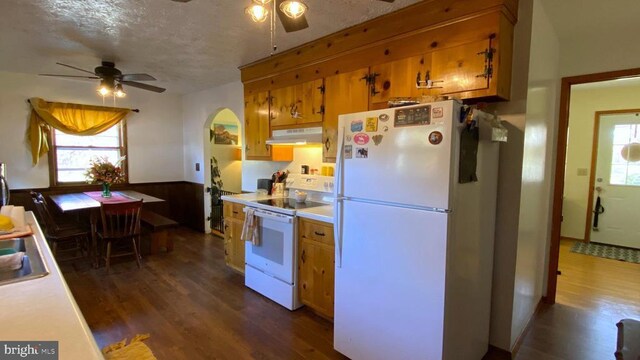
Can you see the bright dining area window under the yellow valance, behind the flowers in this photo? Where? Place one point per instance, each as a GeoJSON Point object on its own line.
{"type": "Point", "coordinates": [71, 154]}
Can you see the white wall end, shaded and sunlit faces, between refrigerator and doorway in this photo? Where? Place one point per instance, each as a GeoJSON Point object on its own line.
{"type": "Point", "coordinates": [524, 200]}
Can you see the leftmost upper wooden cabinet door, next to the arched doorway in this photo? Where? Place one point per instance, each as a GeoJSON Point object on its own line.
{"type": "Point", "coordinates": [256, 122]}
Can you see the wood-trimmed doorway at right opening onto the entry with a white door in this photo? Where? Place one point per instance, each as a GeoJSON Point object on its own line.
{"type": "Point", "coordinates": [589, 169]}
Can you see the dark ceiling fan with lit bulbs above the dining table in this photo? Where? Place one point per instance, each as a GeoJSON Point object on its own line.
{"type": "Point", "coordinates": [112, 79]}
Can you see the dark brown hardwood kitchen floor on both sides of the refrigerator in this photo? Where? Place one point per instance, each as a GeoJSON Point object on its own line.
{"type": "Point", "coordinates": [194, 307]}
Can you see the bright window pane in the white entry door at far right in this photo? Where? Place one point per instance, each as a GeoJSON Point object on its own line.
{"type": "Point", "coordinates": [624, 172]}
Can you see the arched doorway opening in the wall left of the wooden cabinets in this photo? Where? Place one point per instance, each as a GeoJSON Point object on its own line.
{"type": "Point", "coordinates": [223, 164]}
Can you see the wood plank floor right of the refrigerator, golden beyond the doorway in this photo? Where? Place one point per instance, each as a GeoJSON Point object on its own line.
{"type": "Point", "coordinates": [593, 295]}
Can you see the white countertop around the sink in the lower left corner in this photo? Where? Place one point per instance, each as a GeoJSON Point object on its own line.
{"type": "Point", "coordinates": [44, 309]}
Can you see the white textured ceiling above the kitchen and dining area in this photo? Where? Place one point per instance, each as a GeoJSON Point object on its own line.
{"type": "Point", "coordinates": [186, 46]}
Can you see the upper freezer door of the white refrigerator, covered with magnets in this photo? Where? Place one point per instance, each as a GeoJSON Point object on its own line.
{"type": "Point", "coordinates": [404, 155]}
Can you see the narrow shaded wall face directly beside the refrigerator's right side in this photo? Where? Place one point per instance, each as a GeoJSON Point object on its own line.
{"type": "Point", "coordinates": [512, 114]}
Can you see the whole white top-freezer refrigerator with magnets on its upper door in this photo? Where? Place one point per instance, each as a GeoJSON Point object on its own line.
{"type": "Point", "coordinates": [414, 247]}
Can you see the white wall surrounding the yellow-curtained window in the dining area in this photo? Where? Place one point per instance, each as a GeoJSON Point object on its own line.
{"type": "Point", "coordinates": [154, 134]}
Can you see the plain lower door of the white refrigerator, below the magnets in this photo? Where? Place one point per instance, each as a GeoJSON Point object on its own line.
{"type": "Point", "coordinates": [389, 291]}
